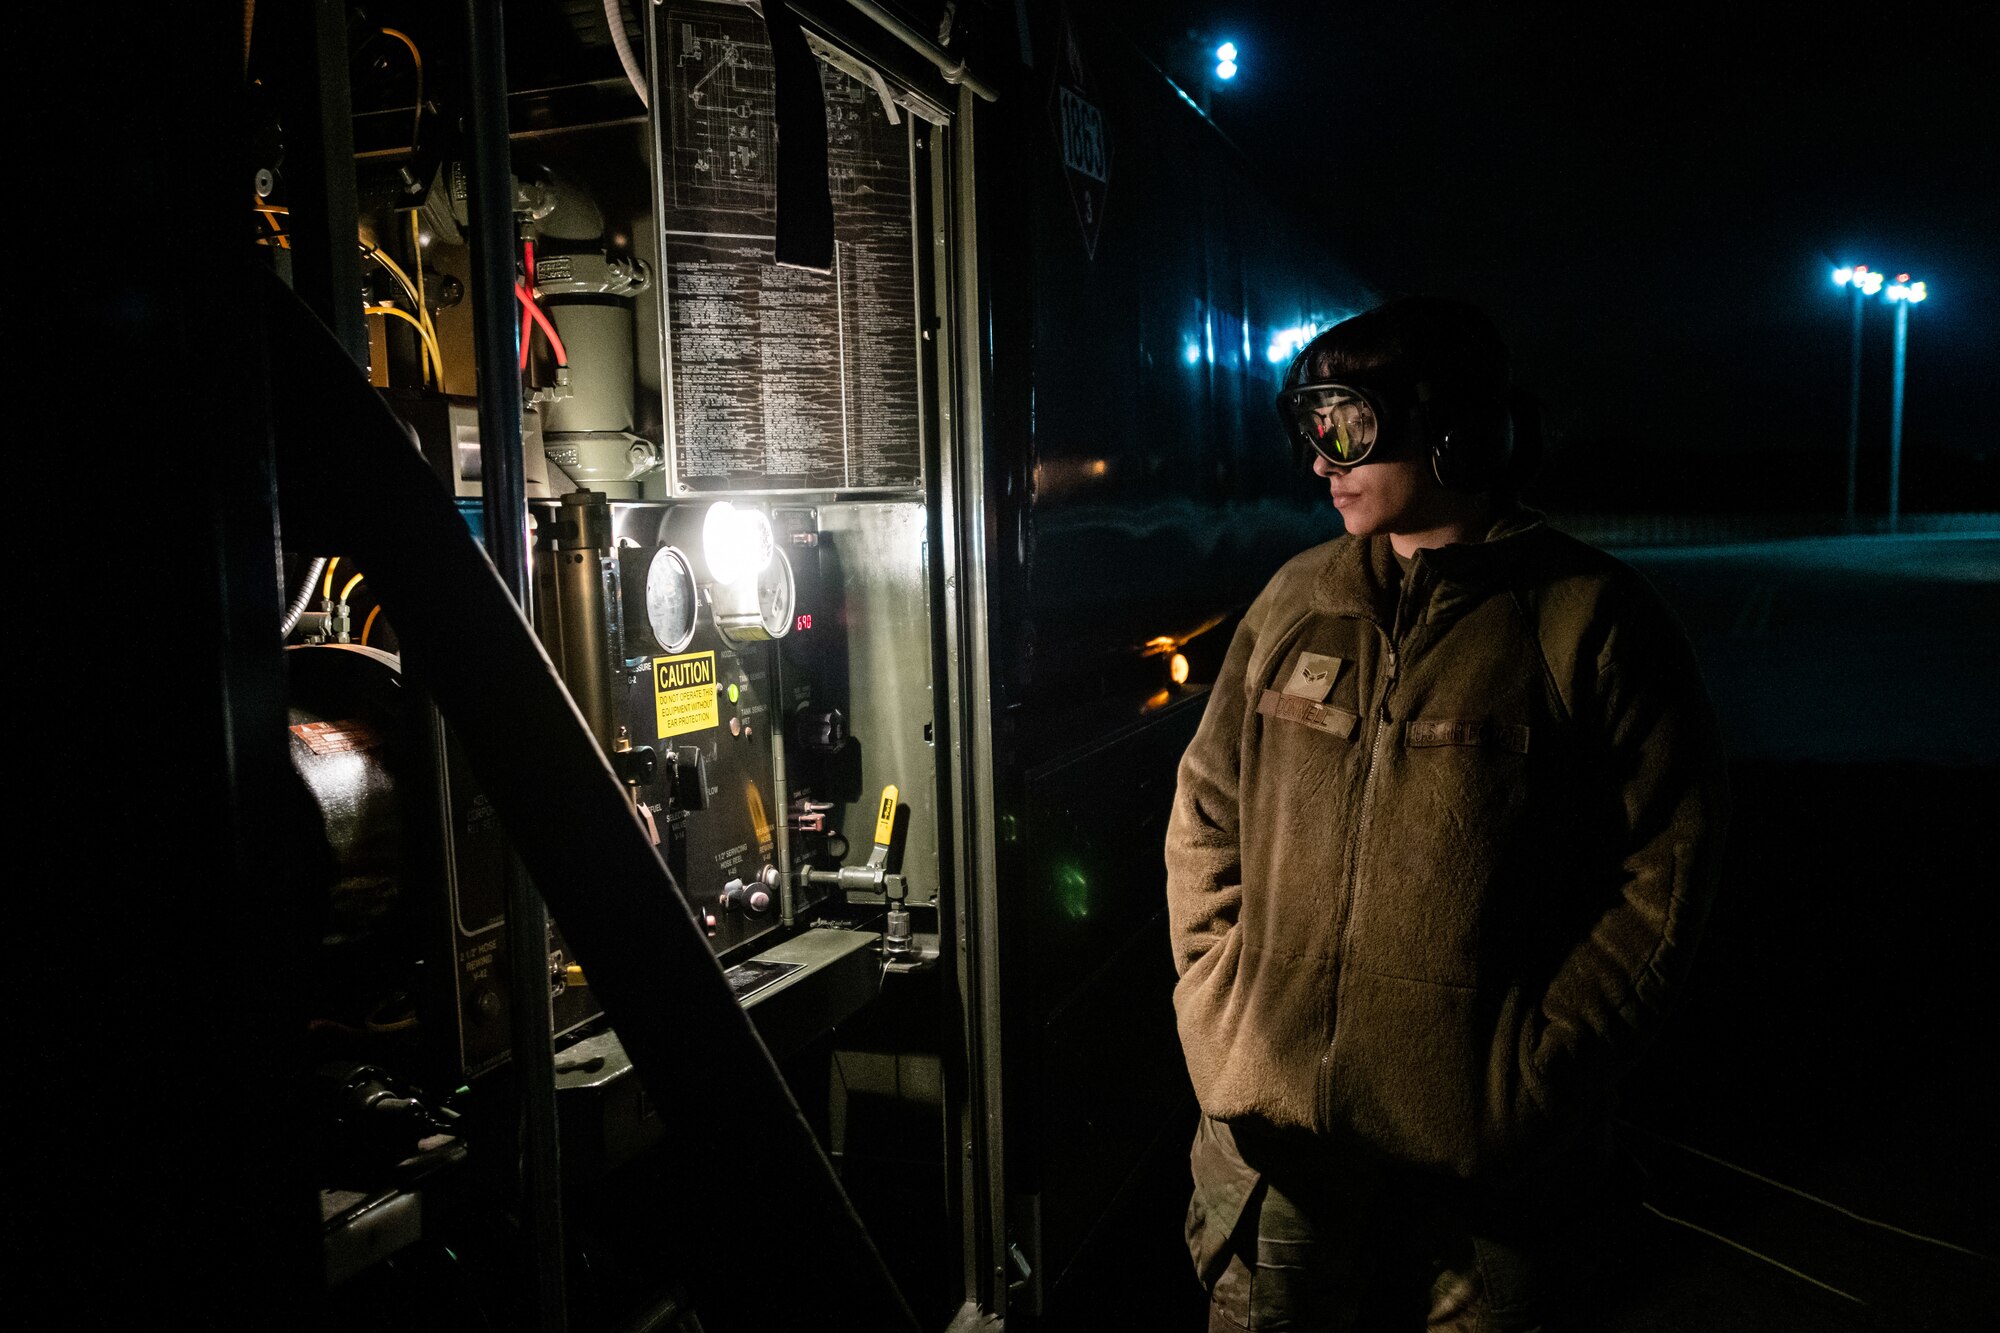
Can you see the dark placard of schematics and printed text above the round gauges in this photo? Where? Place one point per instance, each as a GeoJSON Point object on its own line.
{"type": "Point", "coordinates": [783, 379]}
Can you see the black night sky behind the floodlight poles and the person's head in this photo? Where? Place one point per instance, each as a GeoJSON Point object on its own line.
{"type": "Point", "coordinates": [1651, 201]}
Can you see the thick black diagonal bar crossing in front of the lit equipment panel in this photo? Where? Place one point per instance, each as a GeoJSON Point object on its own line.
{"type": "Point", "coordinates": [351, 479]}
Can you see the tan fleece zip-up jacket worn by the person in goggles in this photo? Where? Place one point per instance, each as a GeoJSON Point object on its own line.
{"type": "Point", "coordinates": [1441, 852]}
